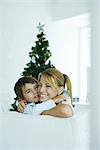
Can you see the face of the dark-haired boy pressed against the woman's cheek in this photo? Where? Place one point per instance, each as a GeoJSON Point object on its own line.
{"type": "Point", "coordinates": [30, 92]}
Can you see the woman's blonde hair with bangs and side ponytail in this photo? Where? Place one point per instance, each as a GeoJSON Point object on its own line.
{"type": "Point", "coordinates": [57, 79]}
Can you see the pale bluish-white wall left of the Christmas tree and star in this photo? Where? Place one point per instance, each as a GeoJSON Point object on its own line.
{"type": "Point", "coordinates": [17, 34]}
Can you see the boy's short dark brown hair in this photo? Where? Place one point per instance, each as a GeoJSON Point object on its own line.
{"type": "Point", "coordinates": [21, 82]}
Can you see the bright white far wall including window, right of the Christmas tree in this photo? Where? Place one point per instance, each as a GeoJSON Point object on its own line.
{"type": "Point", "coordinates": [70, 45]}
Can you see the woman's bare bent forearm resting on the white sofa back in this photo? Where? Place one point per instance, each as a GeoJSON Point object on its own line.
{"type": "Point", "coordinates": [61, 110]}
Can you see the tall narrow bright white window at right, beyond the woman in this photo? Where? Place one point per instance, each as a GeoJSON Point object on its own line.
{"type": "Point", "coordinates": [85, 63]}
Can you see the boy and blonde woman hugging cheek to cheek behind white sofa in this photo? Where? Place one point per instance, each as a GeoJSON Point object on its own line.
{"type": "Point", "coordinates": [50, 95]}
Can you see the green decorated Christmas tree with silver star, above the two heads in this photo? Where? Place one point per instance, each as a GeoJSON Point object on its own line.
{"type": "Point", "coordinates": [39, 55]}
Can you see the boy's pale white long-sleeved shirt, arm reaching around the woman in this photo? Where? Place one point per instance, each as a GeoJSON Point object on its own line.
{"type": "Point", "coordinates": [37, 109]}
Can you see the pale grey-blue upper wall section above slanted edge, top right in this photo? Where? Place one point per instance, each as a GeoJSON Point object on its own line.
{"type": "Point", "coordinates": [62, 9]}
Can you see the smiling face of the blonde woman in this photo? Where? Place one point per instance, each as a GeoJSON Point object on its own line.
{"type": "Point", "coordinates": [45, 90]}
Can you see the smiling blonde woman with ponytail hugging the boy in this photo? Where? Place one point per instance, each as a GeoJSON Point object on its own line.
{"type": "Point", "coordinates": [52, 85]}
